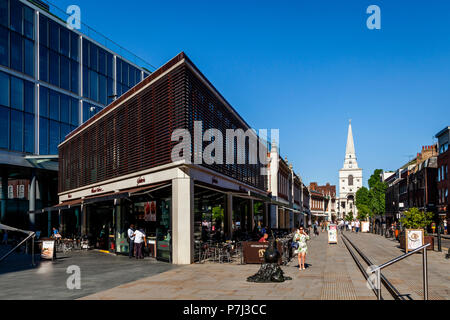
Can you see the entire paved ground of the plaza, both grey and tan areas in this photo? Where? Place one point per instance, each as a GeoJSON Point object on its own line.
{"type": "Point", "coordinates": [331, 274]}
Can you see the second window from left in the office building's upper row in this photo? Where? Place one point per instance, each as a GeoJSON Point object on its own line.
{"type": "Point", "coordinates": [59, 46]}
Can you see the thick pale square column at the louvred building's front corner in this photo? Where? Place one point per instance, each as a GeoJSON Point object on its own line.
{"type": "Point", "coordinates": [182, 221]}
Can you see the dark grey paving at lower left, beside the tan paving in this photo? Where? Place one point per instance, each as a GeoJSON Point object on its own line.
{"type": "Point", "coordinates": [47, 281]}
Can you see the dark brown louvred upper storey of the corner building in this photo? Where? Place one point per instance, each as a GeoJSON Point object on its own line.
{"type": "Point", "coordinates": [134, 132]}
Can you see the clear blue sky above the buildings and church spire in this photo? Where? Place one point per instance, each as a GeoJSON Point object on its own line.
{"type": "Point", "coordinates": [306, 67]}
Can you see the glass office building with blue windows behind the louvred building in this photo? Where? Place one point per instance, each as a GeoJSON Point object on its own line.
{"type": "Point", "coordinates": [52, 79]}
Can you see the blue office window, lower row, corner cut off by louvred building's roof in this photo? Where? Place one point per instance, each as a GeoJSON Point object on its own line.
{"type": "Point", "coordinates": [58, 117]}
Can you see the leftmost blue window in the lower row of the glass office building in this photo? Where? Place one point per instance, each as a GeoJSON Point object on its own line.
{"type": "Point", "coordinates": [16, 114]}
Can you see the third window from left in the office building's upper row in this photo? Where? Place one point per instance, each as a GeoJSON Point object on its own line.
{"type": "Point", "coordinates": [97, 73]}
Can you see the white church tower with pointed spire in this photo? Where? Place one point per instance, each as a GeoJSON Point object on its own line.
{"type": "Point", "coordinates": [350, 178]}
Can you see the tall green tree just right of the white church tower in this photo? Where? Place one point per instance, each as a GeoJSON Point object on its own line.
{"type": "Point", "coordinates": [371, 201]}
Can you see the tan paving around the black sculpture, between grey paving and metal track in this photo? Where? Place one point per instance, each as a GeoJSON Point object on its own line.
{"type": "Point", "coordinates": [330, 274]}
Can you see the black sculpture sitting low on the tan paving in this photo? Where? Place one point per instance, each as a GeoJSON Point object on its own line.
{"type": "Point", "coordinates": [270, 271]}
